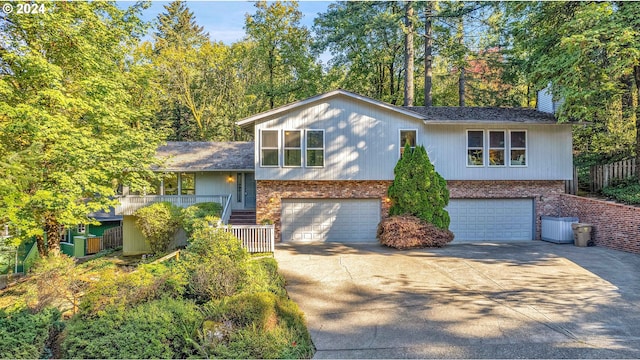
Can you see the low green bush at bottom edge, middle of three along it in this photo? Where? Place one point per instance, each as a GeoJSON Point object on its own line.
{"type": "Point", "coordinates": [158, 329]}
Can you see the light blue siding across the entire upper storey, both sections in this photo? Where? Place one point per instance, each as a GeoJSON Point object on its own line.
{"type": "Point", "coordinates": [362, 143]}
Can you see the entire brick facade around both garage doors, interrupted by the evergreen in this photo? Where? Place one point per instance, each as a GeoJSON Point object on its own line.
{"type": "Point", "coordinates": [271, 192]}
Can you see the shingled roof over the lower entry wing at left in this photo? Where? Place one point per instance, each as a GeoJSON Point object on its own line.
{"type": "Point", "coordinates": [206, 156]}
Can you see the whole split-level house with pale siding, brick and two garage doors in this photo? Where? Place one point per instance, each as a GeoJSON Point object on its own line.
{"type": "Point", "coordinates": [320, 168]}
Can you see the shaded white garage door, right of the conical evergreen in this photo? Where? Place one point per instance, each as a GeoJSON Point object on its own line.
{"type": "Point", "coordinates": [491, 219]}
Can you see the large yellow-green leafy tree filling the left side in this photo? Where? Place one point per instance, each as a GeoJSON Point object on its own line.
{"type": "Point", "coordinates": [72, 123]}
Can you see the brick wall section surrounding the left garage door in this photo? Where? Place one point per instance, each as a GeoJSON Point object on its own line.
{"type": "Point", "coordinates": [271, 192]}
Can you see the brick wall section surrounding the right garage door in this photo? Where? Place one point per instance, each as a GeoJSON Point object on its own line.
{"type": "Point", "coordinates": [544, 194]}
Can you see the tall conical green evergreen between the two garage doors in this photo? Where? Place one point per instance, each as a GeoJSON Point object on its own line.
{"type": "Point", "coordinates": [418, 189]}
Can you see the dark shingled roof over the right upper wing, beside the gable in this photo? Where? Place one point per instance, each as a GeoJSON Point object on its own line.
{"type": "Point", "coordinates": [445, 114]}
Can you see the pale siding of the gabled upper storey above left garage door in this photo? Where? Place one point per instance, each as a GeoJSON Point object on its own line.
{"type": "Point", "coordinates": [361, 141]}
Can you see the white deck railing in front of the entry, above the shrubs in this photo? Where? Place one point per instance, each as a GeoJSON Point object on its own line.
{"type": "Point", "coordinates": [130, 203]}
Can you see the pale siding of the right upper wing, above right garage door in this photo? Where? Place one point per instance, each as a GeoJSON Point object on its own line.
{"type": "Point", "coordinates": [548, 150]}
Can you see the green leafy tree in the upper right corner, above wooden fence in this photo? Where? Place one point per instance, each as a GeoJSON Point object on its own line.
{"type": "Point", "coordinates": [590, 54]}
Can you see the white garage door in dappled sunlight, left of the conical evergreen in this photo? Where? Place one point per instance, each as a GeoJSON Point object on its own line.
{"type": "Point", "coordinates": [340, 220]}
